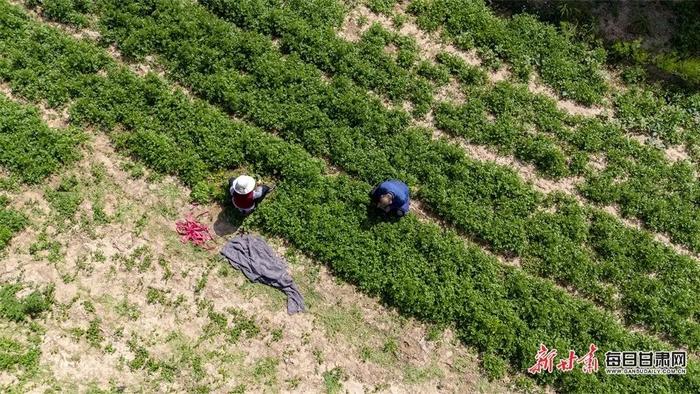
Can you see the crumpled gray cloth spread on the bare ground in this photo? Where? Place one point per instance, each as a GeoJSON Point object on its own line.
{"type": "Point", "coordinates": [254, 257]}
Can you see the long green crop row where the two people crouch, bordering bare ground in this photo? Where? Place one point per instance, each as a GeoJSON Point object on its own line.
{"type": "Point", "coordinates": [423, 270]}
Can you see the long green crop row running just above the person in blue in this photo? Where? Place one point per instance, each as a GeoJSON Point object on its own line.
{"type": "Point", "coordinates": [341, 122]}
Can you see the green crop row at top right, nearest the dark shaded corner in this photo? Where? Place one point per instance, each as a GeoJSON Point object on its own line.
{"type": "Point", "coordinates": [571, 68]}
